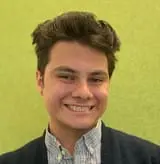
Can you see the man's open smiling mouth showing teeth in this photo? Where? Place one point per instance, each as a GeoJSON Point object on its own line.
{"type": "Point", "coordinates": [79, 108]}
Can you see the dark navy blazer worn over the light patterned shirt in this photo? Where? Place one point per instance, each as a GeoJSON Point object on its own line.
{"type": "Point", "coordinates": [117, 148]}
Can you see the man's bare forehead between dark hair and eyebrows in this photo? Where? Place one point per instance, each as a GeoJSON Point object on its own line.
{"type": "Point", "coordinates": [77, 56]}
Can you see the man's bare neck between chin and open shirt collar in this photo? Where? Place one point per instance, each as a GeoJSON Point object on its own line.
{"type": "Point", "coordinates": [66, 136]}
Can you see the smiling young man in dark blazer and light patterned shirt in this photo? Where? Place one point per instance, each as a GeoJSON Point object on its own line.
{"type": "Point", "coordinates": [76, 59]}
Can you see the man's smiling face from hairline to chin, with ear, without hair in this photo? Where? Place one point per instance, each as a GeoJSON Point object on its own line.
{"type": "Point", "coordinates": [75, 87]}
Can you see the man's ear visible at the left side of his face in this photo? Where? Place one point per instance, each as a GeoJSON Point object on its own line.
{"type": "Point", "coordinates": [39, 82]}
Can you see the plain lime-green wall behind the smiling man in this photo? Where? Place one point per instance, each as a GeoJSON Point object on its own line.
{"type": "Point", "coordinates": [134, 104]}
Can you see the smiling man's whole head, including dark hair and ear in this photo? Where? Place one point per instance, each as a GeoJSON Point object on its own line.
{"type": "Point", "coordinates": [76, 59]}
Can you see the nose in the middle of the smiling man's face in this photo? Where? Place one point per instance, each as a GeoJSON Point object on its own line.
{"type": "Point", "coordinates": [82, 91]}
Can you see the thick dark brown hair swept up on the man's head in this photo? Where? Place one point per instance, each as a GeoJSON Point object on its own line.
{"type": "Point", "coordinates": [82, 27]}
